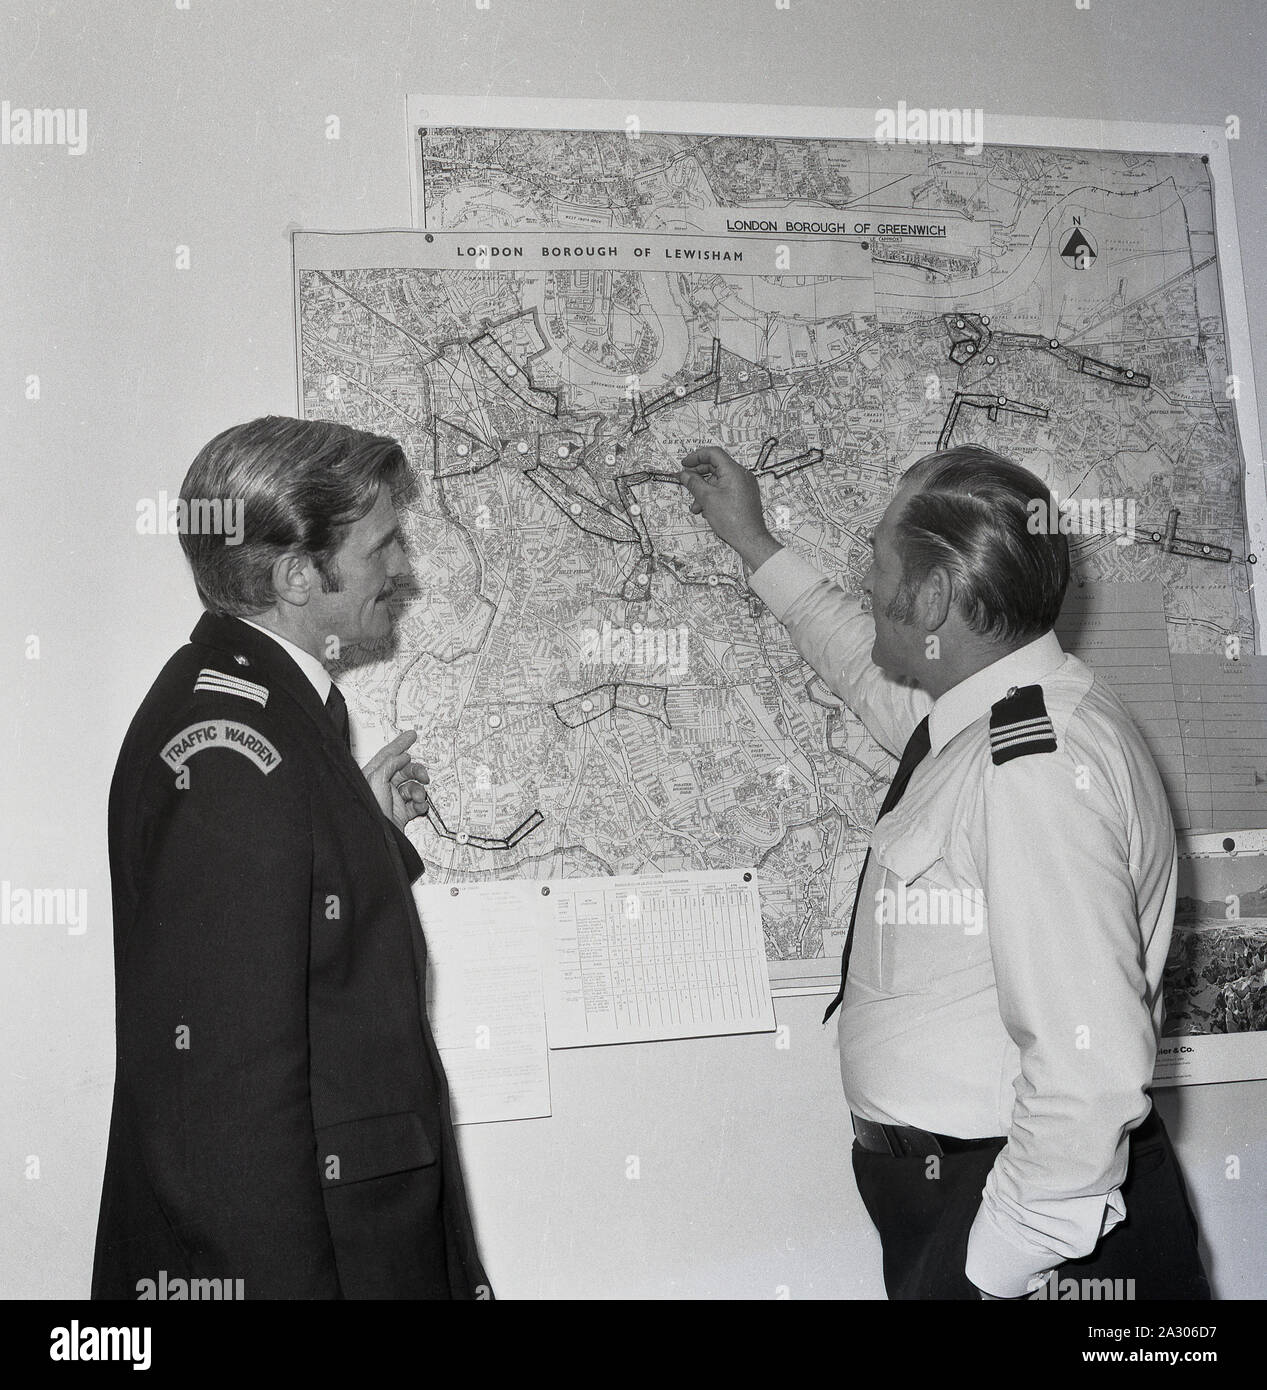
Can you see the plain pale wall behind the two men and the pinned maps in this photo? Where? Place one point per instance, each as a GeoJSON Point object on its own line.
{"type": "Point", "coordinates": [208, 129]}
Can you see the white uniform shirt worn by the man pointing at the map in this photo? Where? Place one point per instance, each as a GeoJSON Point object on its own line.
{"type": "Point", "coordinates": [1007, 968]}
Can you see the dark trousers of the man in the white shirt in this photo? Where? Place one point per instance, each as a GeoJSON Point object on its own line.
{"type": "Point", "coordinates": [925, 1223]}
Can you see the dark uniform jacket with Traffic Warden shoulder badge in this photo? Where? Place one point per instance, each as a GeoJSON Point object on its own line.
{"type": "Point", "coordinates": [281, 1114]}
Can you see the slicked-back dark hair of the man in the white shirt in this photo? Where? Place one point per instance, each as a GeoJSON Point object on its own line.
{"type": "Point", "coordinates": [969, 515]}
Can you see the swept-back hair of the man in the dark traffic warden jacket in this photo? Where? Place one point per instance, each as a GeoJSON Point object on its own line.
{"type": "Point", "coordinates": [302, 484]}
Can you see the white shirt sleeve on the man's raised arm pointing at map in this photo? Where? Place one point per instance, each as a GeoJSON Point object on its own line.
{"type": "Point", "coordinates": [836, 637]}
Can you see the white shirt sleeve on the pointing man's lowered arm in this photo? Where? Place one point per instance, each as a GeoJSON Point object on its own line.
{"type": "Point", "coordinates": [1066, 947]}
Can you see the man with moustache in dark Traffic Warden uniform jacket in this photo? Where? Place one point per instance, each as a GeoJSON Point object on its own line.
{"type": "Point", "coordinates": [281, 1114]}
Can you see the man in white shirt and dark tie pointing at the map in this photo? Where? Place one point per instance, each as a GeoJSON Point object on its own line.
{"type": "Point", "coordinates": [1002, 981]}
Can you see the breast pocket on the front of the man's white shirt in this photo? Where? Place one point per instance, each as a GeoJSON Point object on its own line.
{"type": "Point", "coordinates": [927, 926]}
